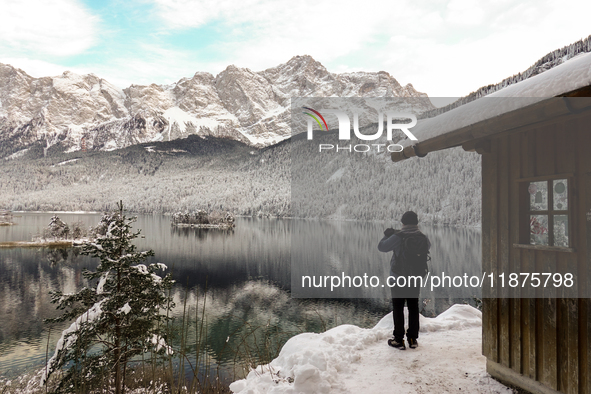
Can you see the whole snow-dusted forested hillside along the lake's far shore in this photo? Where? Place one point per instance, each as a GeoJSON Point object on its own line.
{"type": "Point", "coordinates": [215, 173]}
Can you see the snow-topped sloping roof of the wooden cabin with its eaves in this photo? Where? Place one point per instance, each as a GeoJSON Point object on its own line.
{"type": "Point", "coordinates": [530, 101]}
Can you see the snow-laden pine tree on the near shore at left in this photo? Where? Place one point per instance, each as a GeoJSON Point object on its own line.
{"type": "Point", "coordinates": [122, 316]}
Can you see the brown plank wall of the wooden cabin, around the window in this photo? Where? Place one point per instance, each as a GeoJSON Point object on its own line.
{"type": "Point", "coordinates": [545, 340]}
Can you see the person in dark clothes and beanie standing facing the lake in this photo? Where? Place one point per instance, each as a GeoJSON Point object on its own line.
{"type": "Point", "coordinates": [395, 241]}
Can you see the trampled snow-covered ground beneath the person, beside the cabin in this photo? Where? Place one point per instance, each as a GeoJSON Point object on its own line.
{"type": "Point", "coordinates": [349, 359]}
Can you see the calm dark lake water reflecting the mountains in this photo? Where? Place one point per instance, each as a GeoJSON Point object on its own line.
{"type": "Point", "coordinates": [237, 283]}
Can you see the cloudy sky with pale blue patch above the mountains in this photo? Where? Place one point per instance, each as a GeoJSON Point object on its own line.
{"type": "Point", "coordinates": [444, 48]}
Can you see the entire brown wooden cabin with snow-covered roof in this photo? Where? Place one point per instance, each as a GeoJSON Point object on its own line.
{"type": "Point", "coordinates": [535, 142]}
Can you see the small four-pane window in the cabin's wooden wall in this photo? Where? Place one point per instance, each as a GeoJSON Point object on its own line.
{"type": "Point", "coordinates": [548, 212]}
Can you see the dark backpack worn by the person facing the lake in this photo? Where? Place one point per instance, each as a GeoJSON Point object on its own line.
{"type": "Point", "coordinates": [413, 256]}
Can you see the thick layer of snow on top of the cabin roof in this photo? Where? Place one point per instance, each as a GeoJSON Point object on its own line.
{"type": "Point", "coordinates": [567, 77]}
